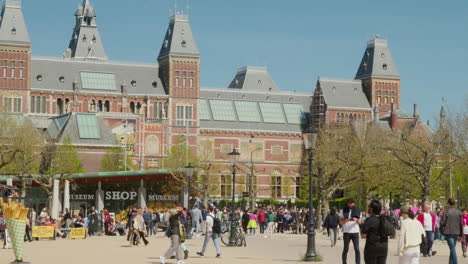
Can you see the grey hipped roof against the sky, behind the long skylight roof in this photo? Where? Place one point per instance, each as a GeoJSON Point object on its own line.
{"type": "Point", "coordinates": [253, 79]}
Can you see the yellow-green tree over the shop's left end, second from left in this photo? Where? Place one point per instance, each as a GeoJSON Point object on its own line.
{"type": "Point", "coordinates": [58, 162]}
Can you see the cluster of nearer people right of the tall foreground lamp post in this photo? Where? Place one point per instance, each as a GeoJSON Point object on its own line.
{"type": "Point", "coordinates": [414, 228]}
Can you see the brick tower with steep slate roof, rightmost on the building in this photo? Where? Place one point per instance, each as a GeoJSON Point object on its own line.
{"type": "Point", "coordinates": [380, 76]}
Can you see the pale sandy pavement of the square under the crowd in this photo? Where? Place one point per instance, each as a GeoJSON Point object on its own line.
{"type": "Point", "coordinates": [285, 249]}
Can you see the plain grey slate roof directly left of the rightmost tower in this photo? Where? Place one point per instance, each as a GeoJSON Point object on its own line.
{"type": "Point", "coordinates": [343, 93]}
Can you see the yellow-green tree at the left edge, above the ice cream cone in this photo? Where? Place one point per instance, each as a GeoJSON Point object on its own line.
{"type": "Point", "coordinates": [19, 144]}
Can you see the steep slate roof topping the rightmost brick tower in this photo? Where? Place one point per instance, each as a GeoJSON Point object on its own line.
{"type": "Point", "coordinates": [377, 62]}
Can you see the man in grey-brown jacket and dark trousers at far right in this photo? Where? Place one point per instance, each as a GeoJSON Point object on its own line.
{"type": "Point", "coordinates": [451, 227]}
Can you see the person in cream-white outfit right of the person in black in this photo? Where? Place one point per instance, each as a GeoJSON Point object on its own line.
{"type": "Point", "coordinates": [411, 234]}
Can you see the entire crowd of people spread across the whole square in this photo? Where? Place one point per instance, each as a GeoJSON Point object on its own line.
{"type": "Point", "coordinates": [414, 228]}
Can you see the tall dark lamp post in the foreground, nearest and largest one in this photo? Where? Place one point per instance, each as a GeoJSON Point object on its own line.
{"type": "Point", "coordinates": [310, 141]}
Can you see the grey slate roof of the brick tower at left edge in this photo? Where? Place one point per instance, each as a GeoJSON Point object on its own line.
{"type": "Point", "coordinates": [13, 29]}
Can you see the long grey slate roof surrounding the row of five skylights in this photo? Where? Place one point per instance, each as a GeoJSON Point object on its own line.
{"type": "Point", "coordinates": [279, 97]}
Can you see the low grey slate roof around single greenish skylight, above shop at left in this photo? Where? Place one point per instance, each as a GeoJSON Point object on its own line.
{"type": "Point", "coordinates": [67, 125]}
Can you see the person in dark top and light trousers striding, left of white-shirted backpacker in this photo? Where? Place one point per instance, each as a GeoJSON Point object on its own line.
{"type": "Point", "coordinates": [174, 233]}
